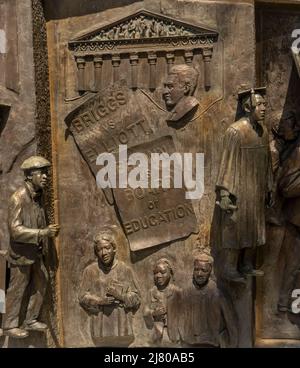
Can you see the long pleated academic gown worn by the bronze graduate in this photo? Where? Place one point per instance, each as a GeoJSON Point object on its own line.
{"type": "Point", "coordinates": [246, 173]}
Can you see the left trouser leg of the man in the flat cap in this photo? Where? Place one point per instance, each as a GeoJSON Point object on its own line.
{"type": "Point", "coordinates": [19, 279]}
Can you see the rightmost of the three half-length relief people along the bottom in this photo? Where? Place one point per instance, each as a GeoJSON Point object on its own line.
{"type": "Point", "coordinates": [207, 318]}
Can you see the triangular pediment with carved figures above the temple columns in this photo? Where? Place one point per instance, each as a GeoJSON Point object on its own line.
{"type": "Point", "coordinates": [142, 28]}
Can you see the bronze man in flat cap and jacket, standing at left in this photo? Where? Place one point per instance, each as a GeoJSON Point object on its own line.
{"type": "Point", "coordinates": [29, 235]}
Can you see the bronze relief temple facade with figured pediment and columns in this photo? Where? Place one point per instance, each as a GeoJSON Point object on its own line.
{"type": "Point", "coordinates": [137, 47]}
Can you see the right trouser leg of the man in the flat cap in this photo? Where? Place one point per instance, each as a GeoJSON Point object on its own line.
{"type": "Point", "coordinates": [38, 289]}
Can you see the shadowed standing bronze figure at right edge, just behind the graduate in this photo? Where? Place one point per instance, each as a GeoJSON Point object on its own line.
{"type": "Point", "coordinates": [280, 248]}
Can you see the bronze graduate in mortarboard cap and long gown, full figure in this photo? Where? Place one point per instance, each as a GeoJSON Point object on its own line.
{"type": "Point", "coordinates": [243, 187]}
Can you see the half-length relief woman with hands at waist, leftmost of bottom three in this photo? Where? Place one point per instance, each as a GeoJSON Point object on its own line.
{"type": "Point", "coordinates": [109, 293]}
